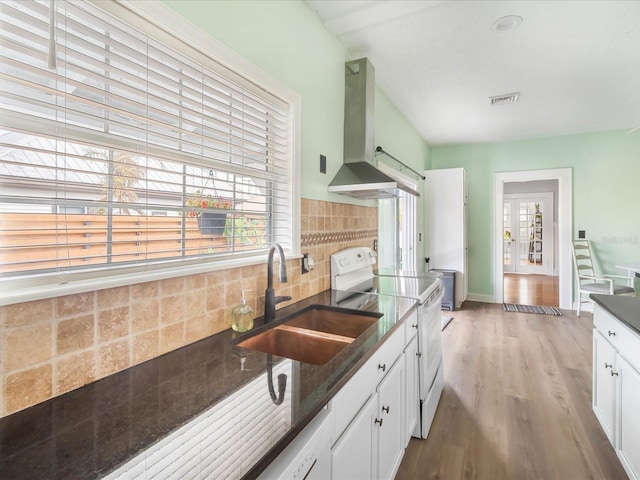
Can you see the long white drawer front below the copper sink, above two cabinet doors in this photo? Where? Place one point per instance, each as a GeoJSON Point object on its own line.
{"type": "Point", "coordinates": [350, 399]}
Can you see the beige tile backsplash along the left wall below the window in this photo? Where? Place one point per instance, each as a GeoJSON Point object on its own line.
{"type": "Point", "coordinates": [49, 347]}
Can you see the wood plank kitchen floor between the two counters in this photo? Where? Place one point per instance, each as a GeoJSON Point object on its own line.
{"type": "Point", "coordinates": [516, 404]}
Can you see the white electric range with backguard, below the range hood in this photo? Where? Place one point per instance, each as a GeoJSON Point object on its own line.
{"type": "Point", "coordinates": [352, 271]}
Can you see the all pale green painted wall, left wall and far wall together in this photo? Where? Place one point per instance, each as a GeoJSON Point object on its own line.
{"type": "Point", "coordinates": [286, 39]}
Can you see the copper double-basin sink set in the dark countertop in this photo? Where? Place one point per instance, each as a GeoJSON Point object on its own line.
{"type": "Point", "coordinates": [314, 335]}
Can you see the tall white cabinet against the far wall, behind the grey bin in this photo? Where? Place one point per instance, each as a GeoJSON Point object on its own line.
{"type": "Point", "coordinates": [445, 202]}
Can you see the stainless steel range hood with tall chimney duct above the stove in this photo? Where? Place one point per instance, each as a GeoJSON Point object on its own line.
{"type": "Point", "coordinates": [358, 177]}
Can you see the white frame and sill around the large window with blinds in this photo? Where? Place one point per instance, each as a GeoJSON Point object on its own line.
{"type": "Point", "coordinates": [162, 23]}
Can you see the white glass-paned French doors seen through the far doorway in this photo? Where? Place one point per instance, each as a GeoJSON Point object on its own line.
{"type": "Point", "coordinates": [527, 234]}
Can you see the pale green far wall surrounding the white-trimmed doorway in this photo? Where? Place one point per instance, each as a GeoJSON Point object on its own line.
{"type": "Point", "coordinates": [606, 173]}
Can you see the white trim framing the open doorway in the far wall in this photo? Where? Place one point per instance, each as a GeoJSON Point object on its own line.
{"type": "Point", "coordinates": [565, 225]}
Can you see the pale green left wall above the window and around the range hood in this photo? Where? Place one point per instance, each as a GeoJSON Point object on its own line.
{"type": "Point", "coordinates": [287, 40]}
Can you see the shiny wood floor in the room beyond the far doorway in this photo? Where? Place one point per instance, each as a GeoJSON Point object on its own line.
{"type": "Point", "coordinates": [531, 289]}
